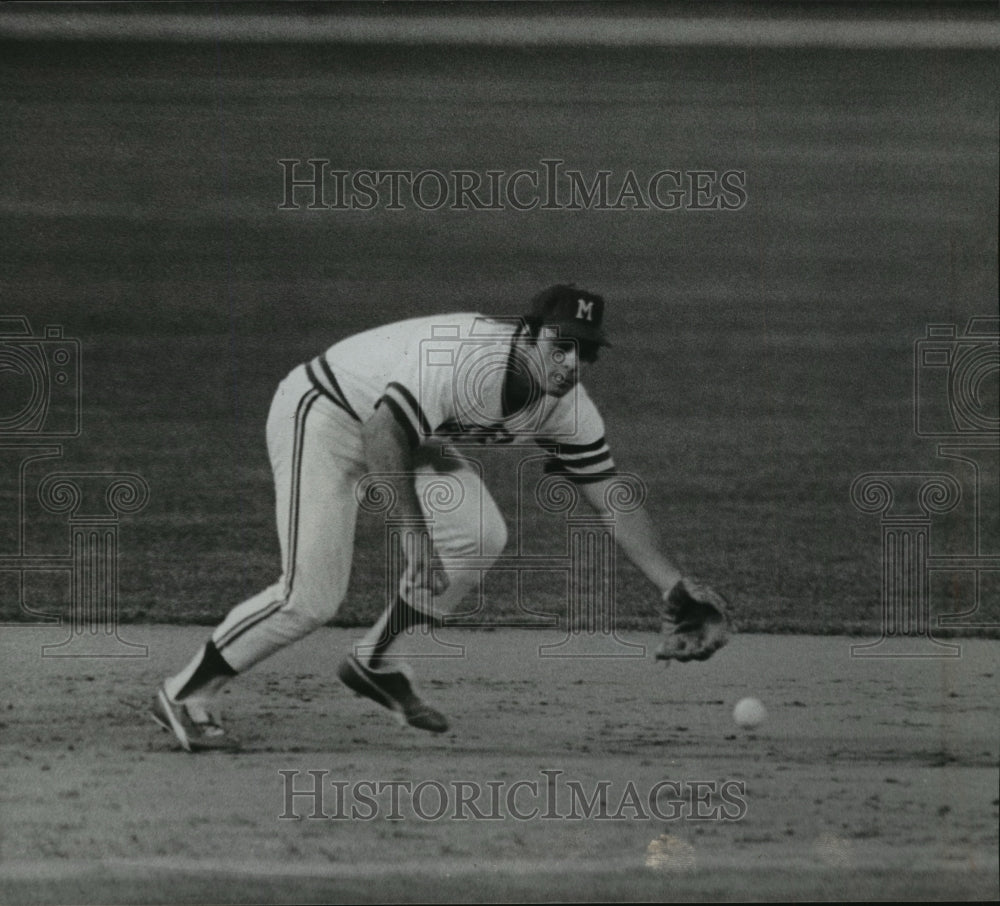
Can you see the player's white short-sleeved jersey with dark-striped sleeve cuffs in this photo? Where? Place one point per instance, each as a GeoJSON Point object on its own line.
{"type": "Point", "coordinates": [442, 377]}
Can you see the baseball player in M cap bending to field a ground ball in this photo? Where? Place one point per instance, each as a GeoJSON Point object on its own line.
{"type": "Point", "coordinates": [387, 402]}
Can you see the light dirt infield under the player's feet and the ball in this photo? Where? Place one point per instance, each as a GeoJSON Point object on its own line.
{"type": "Point", "coordinates": [871, 778]}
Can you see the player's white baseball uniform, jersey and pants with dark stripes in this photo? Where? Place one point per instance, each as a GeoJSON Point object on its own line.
{"type": "Point", "coordinates": [443, 378]}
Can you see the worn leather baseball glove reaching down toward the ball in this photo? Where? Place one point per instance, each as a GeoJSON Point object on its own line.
{"type": "Point", "coordinates": [696, 623]}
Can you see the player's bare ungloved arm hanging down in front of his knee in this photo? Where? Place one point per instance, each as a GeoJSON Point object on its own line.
{"type": "Point", "coordinates": [389, 451]}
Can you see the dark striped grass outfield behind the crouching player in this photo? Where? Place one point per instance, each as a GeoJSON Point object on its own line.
{"type": "Point", "coordinates": [763, 357]}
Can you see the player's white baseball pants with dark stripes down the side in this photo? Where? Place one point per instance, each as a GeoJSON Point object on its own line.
{"type": "Point", "coordinates": [317, 457]}
